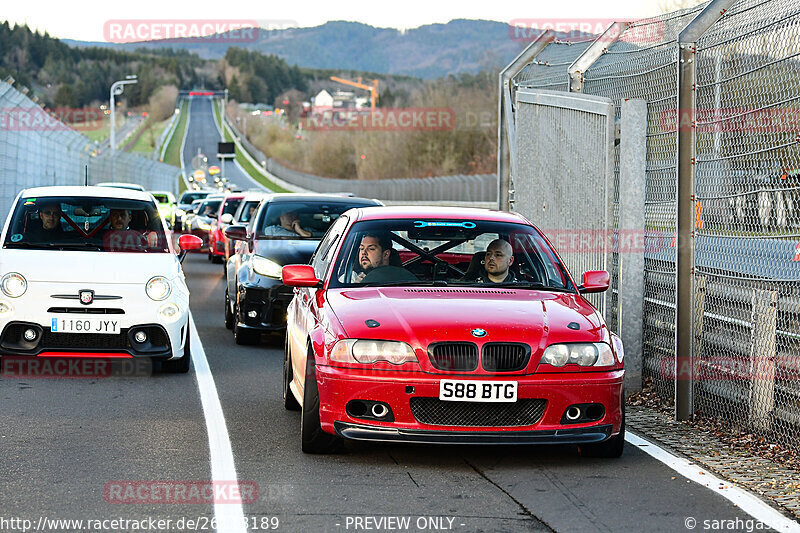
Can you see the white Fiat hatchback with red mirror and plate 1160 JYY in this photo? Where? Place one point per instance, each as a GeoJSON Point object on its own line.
{"type": "Point", "coordinates": [110, 284]}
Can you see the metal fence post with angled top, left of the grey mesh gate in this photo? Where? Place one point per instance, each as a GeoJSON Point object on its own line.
{"type": "Point", "coordinates": [505, 117]}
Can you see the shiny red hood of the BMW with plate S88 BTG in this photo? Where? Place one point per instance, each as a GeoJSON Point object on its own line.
{"type": "Point", "coordinates": [422, 315]}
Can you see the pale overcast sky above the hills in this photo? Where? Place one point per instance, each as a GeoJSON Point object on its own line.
{"type": "Point", "coordinates": [84, 20]}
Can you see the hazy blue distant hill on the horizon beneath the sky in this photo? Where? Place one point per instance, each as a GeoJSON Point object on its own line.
{"type": "Point", "coordinates": [430, 51]}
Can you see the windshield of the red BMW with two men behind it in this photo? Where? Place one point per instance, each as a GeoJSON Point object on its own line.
{"type": "Point", "coordinates": [447, 252]}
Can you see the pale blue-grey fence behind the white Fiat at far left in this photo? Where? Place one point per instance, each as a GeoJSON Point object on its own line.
{"type": "Point", "coordinates": [37, 150]}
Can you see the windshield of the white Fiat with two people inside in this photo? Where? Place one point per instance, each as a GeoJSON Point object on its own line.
{"type": "Point", "coordinates": [86, 224]}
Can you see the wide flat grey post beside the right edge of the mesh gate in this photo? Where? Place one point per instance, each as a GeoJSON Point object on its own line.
{"type": "Point", "coordinates": [631, 237]}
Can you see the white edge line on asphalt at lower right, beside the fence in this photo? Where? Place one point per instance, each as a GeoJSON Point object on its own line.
{"type": "Point", "coordinates": [746, 501]}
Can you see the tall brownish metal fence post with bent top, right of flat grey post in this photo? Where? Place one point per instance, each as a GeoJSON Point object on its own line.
{"type": "Point", "coordinates": [687, 153]}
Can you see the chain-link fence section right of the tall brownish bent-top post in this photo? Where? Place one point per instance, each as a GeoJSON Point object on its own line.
{"type": "Point", "coordinates": [747, 286]}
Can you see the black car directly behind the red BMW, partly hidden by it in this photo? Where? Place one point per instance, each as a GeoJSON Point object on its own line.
{"type": "Point", "coordinates": [286, 230]}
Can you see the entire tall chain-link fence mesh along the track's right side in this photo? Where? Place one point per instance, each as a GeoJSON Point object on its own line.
{"type": "Point", "coordinates": [745, 160]}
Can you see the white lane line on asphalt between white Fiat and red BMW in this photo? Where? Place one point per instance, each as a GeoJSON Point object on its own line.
{"type": "Point", "coordinates": [230, 516]}
